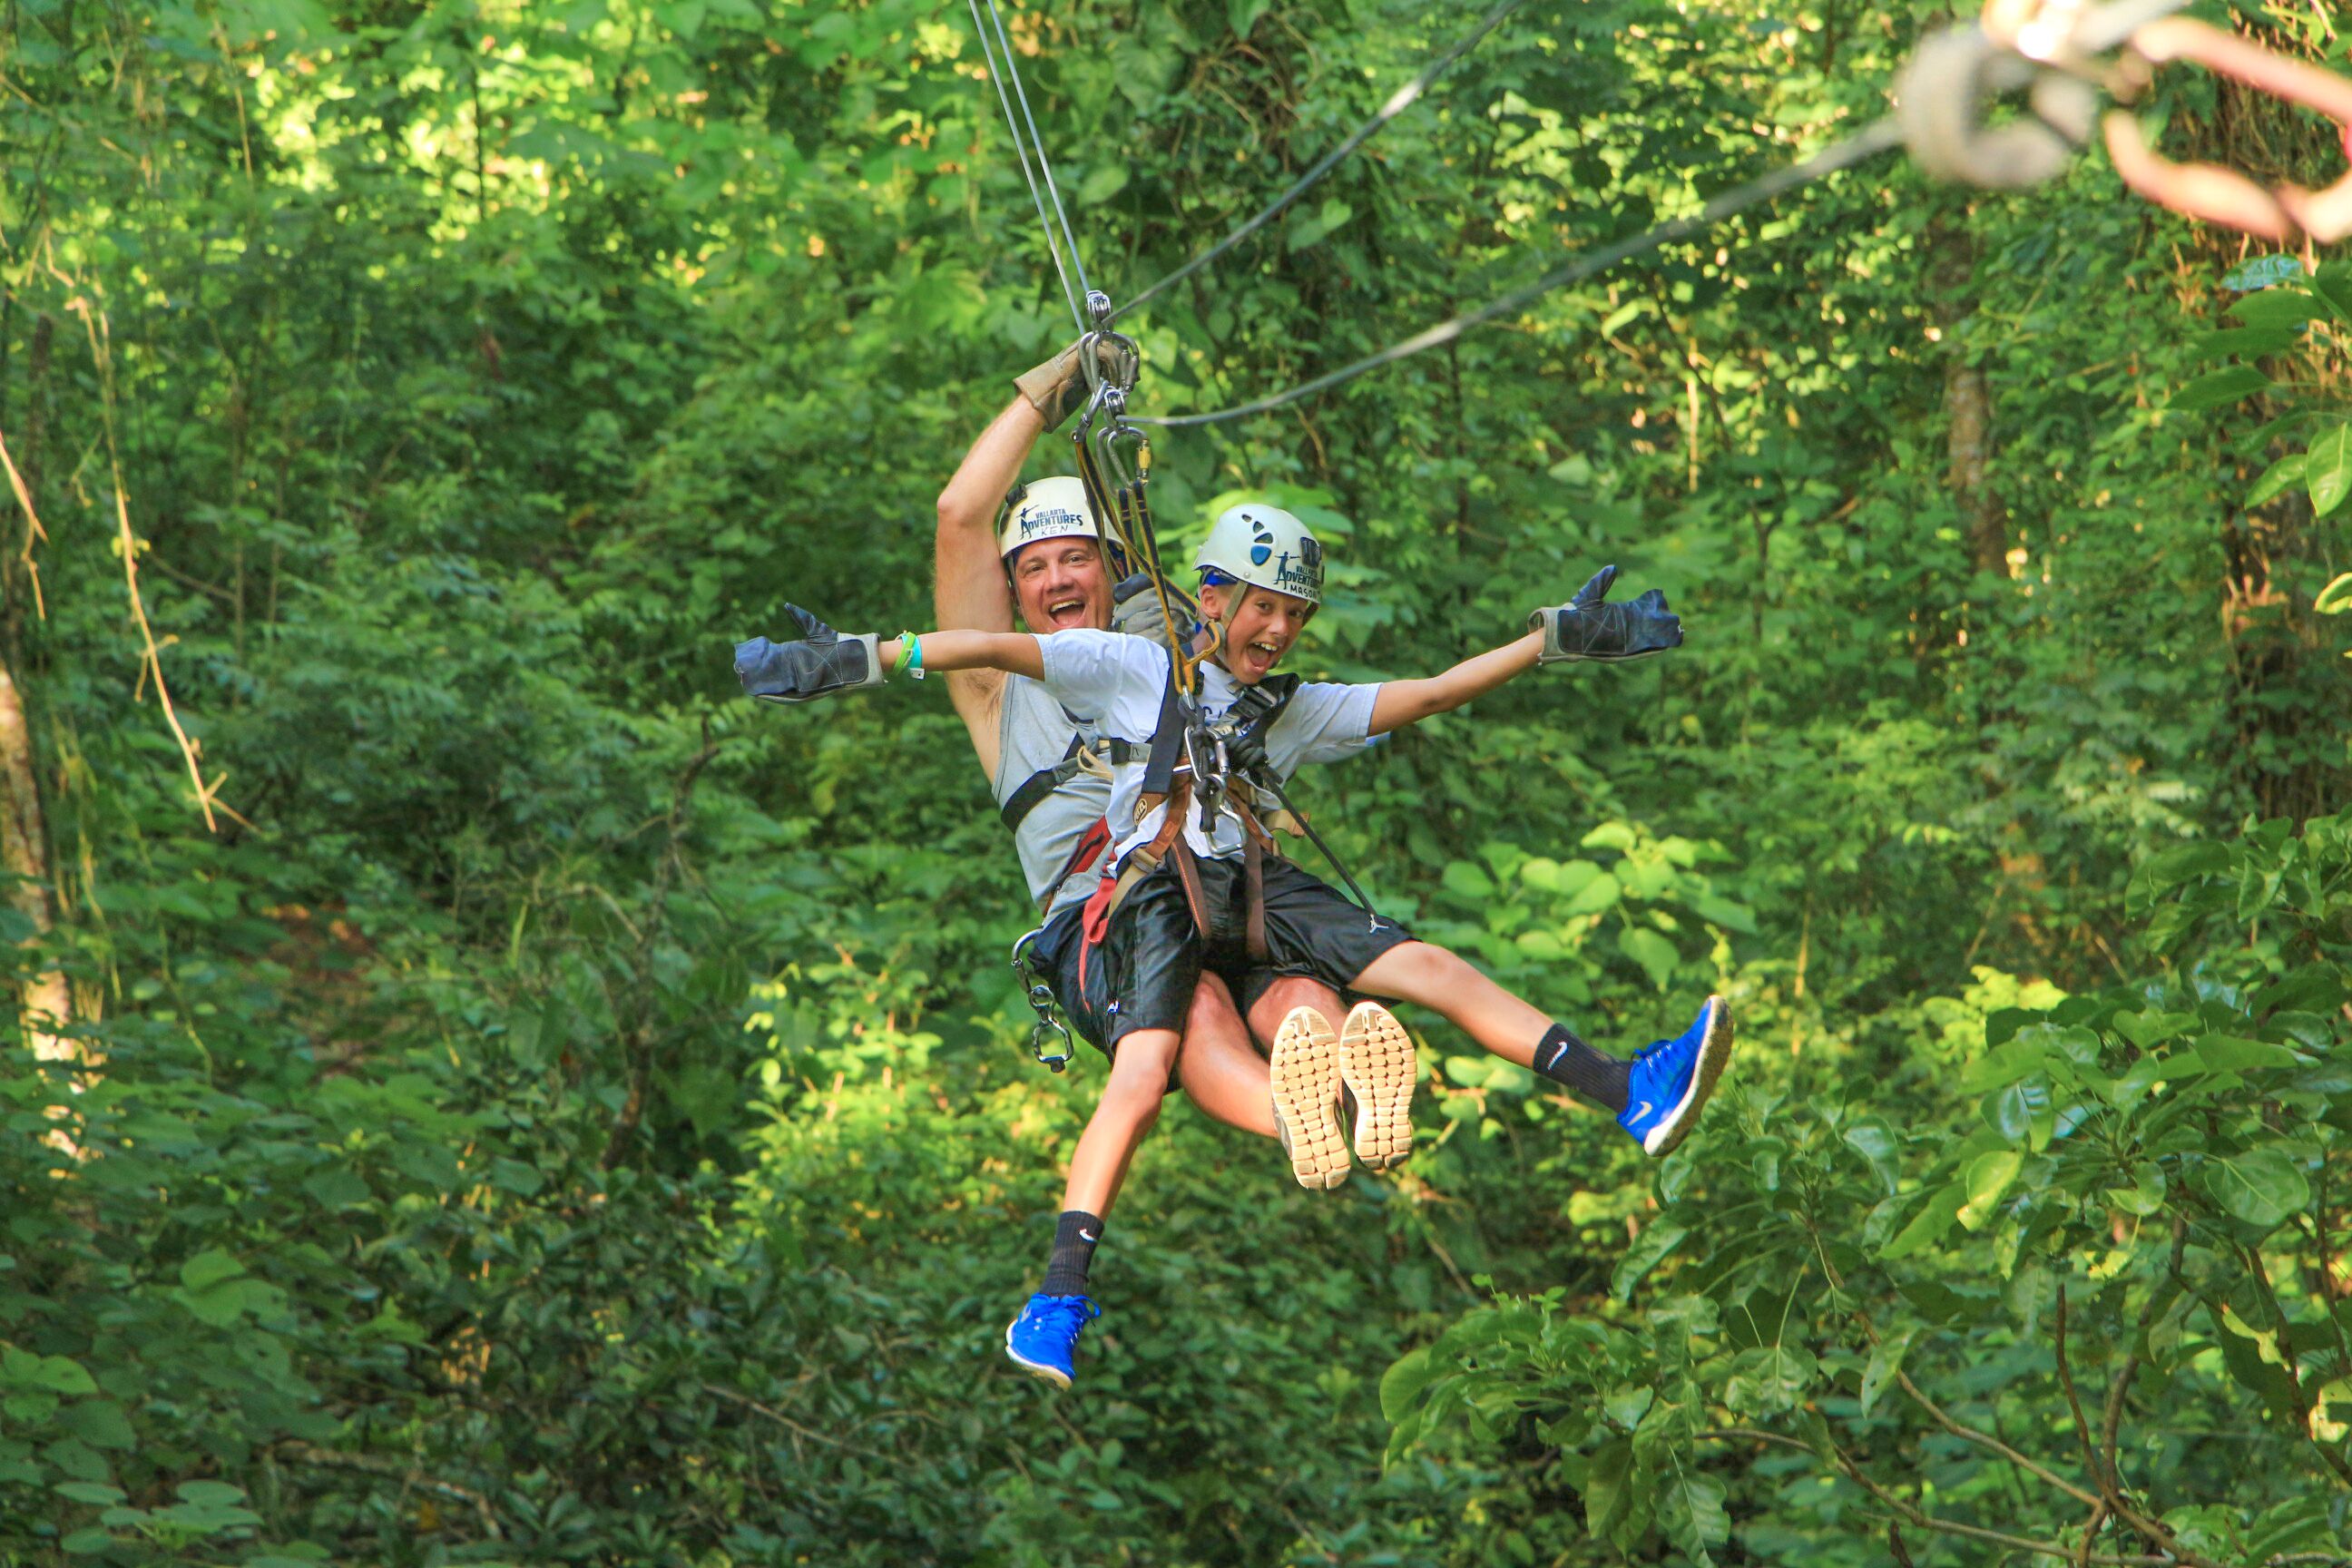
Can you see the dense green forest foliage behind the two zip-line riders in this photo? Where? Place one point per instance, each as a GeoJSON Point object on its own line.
{"type": "Point", "coordinates": [570, 1118]}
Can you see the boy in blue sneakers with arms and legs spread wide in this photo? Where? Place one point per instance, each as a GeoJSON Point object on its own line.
{"type": "Point", "coordinates": [1175, 890]}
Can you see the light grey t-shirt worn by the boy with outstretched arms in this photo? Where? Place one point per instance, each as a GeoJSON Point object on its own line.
{"type": "Point", "coordinates": [1114, 688]}
